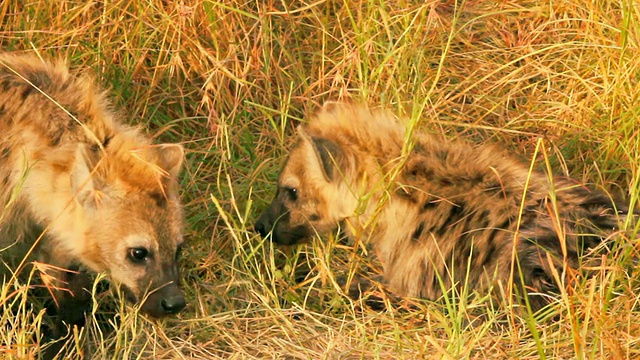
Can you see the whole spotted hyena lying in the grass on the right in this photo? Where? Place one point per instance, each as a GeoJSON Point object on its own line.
{"type": "Point", "coordinates": [443, 209]}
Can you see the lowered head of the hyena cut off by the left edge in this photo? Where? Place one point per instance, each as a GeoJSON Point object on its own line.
{"type": "Point", "coordinates": [127, 196]}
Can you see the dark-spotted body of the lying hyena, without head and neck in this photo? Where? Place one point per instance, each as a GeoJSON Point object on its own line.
{"type": "Point", "coordinates": [474, 204]}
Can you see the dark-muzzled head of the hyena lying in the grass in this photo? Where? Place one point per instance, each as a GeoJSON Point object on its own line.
{"type": "Point", "coordinates": [312, 196]}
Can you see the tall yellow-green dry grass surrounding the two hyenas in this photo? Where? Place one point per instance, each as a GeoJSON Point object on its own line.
{"type": "Point", "coordinates": [231, 80]}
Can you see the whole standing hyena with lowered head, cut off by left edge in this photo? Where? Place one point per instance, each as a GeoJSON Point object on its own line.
{"type": "Point", "coordinates": [91, 193]}
